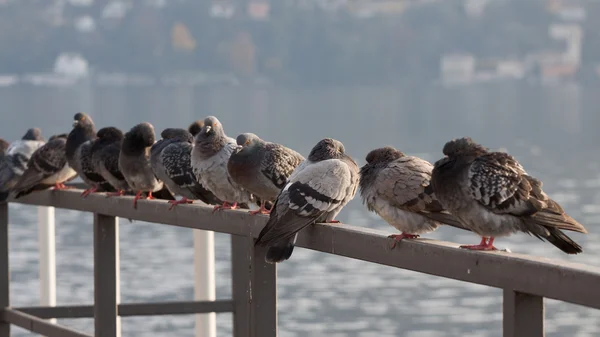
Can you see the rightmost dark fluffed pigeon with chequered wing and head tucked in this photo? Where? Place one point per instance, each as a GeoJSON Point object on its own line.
{"type": "Point", "coordinates": [492, 195]}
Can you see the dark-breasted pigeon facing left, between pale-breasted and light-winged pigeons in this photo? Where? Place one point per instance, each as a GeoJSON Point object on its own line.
{"type": "Point", "coordinates": [262, 168]}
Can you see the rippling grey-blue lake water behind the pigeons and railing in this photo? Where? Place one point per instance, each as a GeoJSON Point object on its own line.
{"type": "Point", "coordinates": [552, 131]}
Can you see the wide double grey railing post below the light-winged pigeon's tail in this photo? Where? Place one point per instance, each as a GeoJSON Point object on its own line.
{"type": "Point", "coordinates": [254, 290]}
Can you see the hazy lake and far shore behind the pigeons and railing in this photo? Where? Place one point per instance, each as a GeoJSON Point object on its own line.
{"type": "Point", "coordinates": [518, 75]}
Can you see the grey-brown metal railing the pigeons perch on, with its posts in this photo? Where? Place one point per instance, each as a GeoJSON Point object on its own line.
{"type": "Point", "coordinates": [526, 280]}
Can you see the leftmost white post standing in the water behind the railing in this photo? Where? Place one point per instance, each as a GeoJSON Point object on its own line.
{"type": "Point", "coordinates": [47, 252]}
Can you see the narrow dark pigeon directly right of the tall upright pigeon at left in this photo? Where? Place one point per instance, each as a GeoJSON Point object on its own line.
{"type": "Point", "coordinates": [105, 159]}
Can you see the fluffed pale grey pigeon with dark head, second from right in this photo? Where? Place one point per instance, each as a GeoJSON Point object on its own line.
{"type": "Point", "coordinates": [397, 188]}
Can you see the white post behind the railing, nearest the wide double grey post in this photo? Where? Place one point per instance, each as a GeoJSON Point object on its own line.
{"type": "Point", "coordinates": [204, 280]}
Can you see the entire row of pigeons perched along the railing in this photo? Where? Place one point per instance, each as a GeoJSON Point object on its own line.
{"type": "Point", "coordinates": [472, 188]}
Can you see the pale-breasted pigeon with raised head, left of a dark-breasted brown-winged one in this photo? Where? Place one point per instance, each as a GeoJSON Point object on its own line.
{"type": "Point", "coordinates": [211, 152]}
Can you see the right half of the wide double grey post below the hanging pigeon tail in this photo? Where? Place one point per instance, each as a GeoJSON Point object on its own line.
{"type": "Point", "coordinates": [264, 295]}
